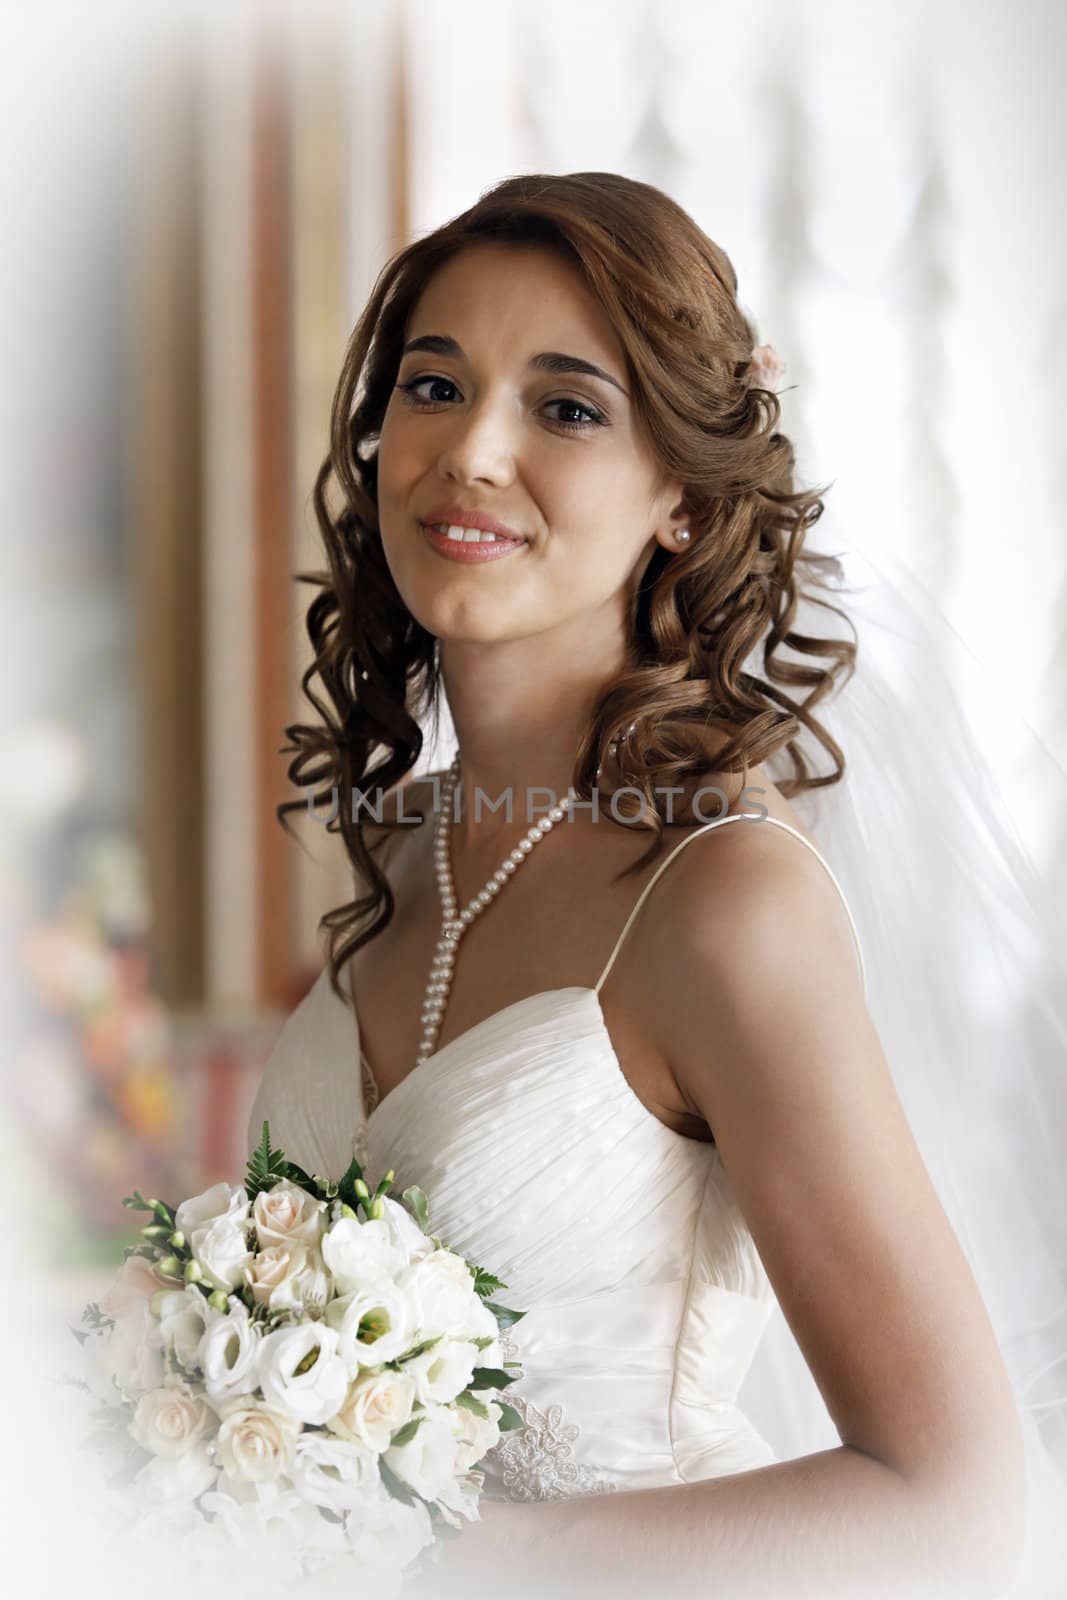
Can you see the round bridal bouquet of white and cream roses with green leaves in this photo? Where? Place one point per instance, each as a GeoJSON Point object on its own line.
{"type": "Point", "coordinates": [298, 1370]}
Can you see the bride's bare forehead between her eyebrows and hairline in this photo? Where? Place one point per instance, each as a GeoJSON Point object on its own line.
{"type": "Point", "coordinates": [516, 297]}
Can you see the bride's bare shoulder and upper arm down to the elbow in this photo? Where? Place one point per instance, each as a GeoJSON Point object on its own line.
{"type": "Point", "coordinates": [765, 1028]}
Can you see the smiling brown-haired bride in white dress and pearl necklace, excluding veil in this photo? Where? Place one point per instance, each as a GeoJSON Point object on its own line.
{"type": "Point", "coordinates": [601, 993]}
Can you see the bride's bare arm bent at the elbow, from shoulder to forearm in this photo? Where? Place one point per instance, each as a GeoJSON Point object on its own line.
{"type": "Point", "coordinates": [767, 1031]}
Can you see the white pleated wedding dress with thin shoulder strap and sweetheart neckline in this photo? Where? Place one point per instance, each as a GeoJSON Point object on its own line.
{"type": "Point", "coordinates": [621, 1239]}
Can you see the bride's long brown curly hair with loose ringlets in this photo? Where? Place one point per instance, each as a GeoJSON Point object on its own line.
{"type": "Point", "coordinates": [698, 615]}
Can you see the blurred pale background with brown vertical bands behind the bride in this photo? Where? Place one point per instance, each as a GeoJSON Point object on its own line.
{"type": "Point", "coordinates": [198, 202]}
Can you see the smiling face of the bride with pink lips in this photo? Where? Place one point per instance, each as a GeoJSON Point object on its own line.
{"type": "Point", "coordinates": [487, 420]}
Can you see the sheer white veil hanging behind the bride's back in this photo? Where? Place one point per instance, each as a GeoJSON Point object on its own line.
{"type": "Point", "coordinates": [967, 983]}
